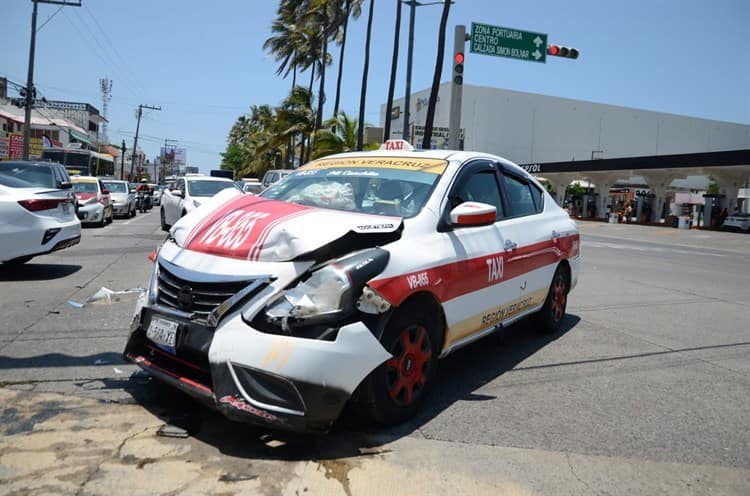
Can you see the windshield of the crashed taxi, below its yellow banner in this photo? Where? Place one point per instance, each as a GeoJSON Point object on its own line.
{"type": "Point", "coordinates": [393, 191]}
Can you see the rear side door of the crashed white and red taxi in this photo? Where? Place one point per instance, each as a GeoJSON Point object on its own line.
{"type": "Point", "coordinates": [532, 257]}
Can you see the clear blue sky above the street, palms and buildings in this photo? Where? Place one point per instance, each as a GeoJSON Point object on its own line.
{"type": "Point", "coordinates": [203, 61]}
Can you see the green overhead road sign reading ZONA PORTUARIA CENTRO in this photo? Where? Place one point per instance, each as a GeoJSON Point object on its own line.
{"type": "Point", "coordinates": [508, 42]}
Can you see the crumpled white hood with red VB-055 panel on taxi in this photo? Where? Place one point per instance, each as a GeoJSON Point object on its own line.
{"type": "Point", "coordinates": [254, 228]}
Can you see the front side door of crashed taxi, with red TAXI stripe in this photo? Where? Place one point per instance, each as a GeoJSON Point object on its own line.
{"type": "Point", "coordinates": [486, 291]}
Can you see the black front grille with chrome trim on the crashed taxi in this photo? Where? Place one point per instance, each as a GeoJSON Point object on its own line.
{"type": "Point", "coordinates": [193, 293]}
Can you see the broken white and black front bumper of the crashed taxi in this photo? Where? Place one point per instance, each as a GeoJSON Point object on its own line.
{"type": "Point", "coordinates": [251, 376]}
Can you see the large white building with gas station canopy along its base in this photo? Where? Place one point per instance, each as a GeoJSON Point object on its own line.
{"type": "Point", "coordinates": [561, 138]}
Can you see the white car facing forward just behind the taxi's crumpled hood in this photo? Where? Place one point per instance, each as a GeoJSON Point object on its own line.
{"type": "Point", "coordinates": [187, 193]}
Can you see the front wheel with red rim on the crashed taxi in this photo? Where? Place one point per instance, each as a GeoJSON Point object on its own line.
{"type": "Point", "coordinates": [394, 391]}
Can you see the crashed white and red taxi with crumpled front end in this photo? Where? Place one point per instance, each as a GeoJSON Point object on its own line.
{"type": "Point", "coordinates": [348, 280]}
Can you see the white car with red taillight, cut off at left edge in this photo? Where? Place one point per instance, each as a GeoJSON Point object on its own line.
{"type": "Point", "coordinates": [34, 220]}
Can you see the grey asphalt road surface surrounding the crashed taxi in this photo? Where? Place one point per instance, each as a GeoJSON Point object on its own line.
{"type": "Point", "coordinates": [652, 371]}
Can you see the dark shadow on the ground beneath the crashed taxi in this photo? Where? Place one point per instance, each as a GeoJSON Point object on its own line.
{"type": "Point", "coordinates": [459, 376]}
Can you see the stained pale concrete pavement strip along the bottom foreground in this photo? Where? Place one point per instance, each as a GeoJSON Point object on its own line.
{"type": "Point", "coordinates": [55, 444]}
